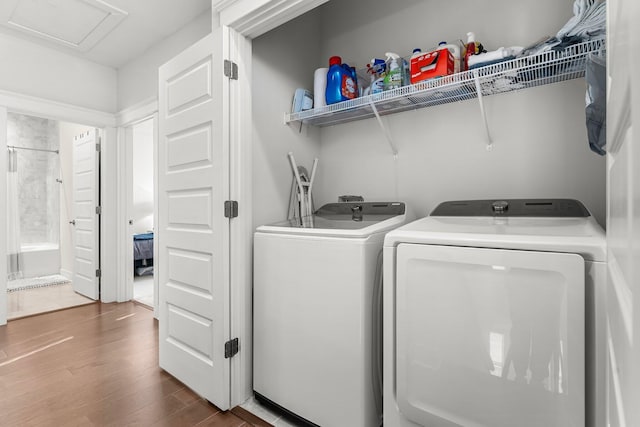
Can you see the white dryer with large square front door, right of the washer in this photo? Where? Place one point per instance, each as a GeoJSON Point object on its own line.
{"type": "Point", "coordinates": [493, 316]}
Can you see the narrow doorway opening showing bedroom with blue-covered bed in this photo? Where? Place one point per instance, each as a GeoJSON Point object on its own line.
{"type": "Point", "coordinates": [140, 141]}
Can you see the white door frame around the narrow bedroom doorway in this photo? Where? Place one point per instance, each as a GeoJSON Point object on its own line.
{"type": "Point", "coordinates": [126, 120]}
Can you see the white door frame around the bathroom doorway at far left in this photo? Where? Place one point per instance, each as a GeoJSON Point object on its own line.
{"type": "Point", "coordinates": [105, 122]}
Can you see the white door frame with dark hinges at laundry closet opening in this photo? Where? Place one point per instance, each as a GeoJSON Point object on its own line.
{"type": "Point", "coordinates": [246, 20]}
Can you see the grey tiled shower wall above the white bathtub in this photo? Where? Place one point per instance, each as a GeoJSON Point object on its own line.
{"type": "Point", "coordinates": [39, 203]}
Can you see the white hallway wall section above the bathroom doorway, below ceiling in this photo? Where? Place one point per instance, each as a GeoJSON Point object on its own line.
{"type": "Point", "coordinates": [29, 69]}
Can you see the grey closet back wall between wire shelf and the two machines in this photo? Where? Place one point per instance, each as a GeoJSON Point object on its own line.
{"type": "Point", "coordinates": [540, 151]}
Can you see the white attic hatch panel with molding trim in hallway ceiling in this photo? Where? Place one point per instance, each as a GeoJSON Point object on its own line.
{"type": "Point", "coordinates": [76, 24]}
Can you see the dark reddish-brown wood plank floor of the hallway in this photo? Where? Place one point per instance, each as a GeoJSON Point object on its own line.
{"type": "Point", "coordinates": [96, 365]}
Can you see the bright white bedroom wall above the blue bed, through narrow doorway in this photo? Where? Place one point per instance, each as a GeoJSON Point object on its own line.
{"type": "Point", "coordinates": [143, 177]}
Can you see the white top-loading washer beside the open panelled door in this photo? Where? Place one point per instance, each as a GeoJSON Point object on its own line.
{"type": "Point", "coordinates": [317, 313]}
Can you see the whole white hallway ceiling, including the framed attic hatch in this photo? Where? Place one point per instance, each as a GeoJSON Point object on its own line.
{"type": "Point", "coordinates": [109, 32]}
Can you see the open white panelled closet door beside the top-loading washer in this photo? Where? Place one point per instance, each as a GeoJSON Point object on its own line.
{"type": "Point", "coordinates": [193, 234]}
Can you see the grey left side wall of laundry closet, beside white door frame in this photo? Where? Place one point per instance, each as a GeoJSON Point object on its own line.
{"type": "Point", "coordinates": [283, 60]}
